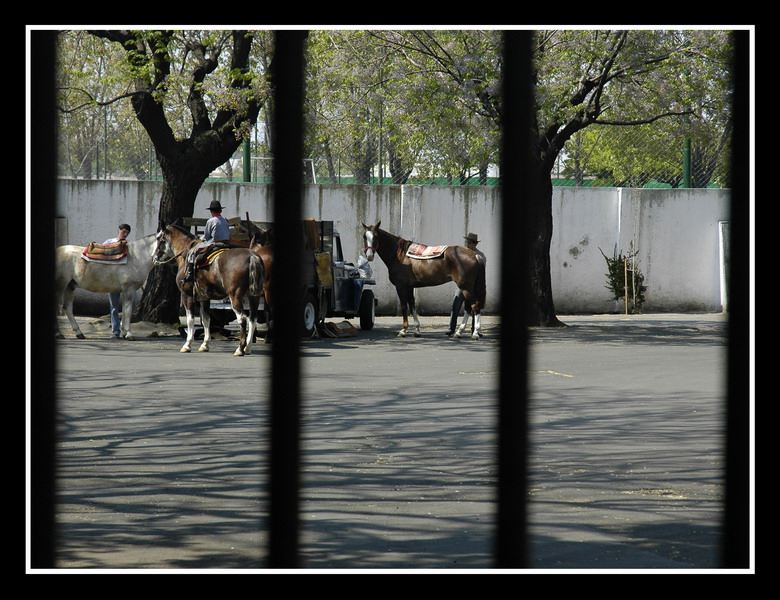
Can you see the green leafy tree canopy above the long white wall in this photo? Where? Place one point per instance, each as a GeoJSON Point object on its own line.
{"type": "Point", "coordinates": [426, 104]}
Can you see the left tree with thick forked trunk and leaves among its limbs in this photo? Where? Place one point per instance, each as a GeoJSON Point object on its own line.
{"type": "Point", "coordinates": [220, 116]}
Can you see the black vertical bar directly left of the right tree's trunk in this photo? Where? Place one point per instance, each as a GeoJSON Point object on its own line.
{"type": "Point", "coordinates": [511, 535]}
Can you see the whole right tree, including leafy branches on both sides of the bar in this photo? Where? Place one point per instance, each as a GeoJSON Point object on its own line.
{"type": "Point", "coordinates": [581, 78]}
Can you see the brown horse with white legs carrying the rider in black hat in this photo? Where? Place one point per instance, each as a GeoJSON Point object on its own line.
{"type": "Point", "coordinates": [235, 273]}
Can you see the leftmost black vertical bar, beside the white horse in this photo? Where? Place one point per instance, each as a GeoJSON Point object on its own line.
{"type": "Point", "coordinates": [43, 191]}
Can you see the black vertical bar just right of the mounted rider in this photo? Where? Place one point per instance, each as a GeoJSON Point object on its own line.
{"type": "Point", "coordinates": [285, 388]}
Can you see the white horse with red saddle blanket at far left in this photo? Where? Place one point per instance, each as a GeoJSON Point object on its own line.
{"type": "Point", "coordinates": [73, 271]}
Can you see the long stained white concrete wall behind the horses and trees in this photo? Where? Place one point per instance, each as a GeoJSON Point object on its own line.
{"type": "Point", "coordinates": [676, 232]}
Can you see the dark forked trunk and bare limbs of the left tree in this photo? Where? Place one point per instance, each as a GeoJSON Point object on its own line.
{"type": "Point", "coordinates": [185, 164]}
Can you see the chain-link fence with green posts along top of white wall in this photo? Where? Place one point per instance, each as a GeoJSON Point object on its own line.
{"type": "Point", "coordinates": [636, 156]}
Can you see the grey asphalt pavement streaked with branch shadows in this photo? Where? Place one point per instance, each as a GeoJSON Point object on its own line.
{"type": "Point", "coordinates": [163, 455]}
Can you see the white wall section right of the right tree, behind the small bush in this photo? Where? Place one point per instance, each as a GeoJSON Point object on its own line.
{"type": "Point", "coordinates": [675, 232]}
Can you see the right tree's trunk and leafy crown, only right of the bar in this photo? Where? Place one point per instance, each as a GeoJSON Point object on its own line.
{"type": "Point", "coordinates": [603, 77]}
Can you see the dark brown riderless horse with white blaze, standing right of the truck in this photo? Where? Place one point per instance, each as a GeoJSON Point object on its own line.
{"type": "Point", "coordinates": [455, 263]}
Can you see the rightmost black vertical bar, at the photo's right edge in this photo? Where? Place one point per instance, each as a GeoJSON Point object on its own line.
{"type": "Point", "coordinates": [736, 531]}
